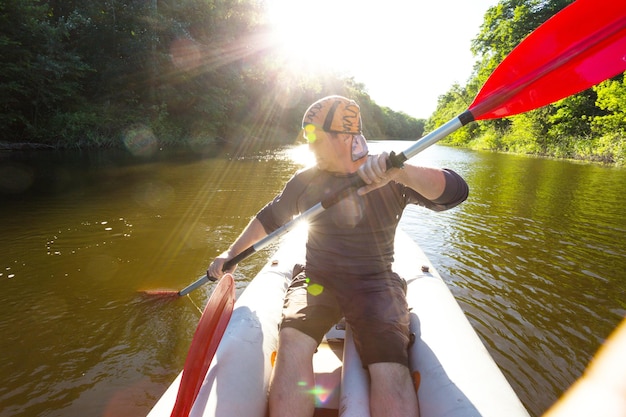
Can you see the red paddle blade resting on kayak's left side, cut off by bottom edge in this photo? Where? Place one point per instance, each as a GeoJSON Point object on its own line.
{"type": "Point", "coordinates": [204, 344]}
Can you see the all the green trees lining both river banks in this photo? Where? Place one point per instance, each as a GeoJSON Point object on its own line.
{"type": "Point", "coordinates": [77, 73]}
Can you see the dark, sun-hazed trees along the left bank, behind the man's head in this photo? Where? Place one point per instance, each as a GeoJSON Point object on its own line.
{"type": "Point", "coordinates": [77, 73]}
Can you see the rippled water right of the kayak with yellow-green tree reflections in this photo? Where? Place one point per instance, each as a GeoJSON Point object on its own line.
{"type": "Point", "coordinates": [536, 260]}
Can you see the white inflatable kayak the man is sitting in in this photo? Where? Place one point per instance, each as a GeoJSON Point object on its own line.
{"type": "Point", "coordinates": [454, 374]}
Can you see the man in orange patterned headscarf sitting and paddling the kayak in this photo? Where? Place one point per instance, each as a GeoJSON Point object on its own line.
{"type": "Point", "coordinates": [349, 252]}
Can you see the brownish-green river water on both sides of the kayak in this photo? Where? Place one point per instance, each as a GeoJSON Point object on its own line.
{"type": "Point", "coordinates": [536, 258]}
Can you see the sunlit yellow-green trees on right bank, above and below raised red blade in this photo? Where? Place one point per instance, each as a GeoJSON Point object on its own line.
{"type": "Point", "coordinates": [589, 125]}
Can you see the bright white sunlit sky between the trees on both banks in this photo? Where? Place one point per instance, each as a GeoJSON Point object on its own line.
{"type": "Point", "coordinates": [406, 52]}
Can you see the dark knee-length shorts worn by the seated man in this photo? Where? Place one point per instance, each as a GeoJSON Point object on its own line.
{"type": "Point", "coordinates": [375, 308]}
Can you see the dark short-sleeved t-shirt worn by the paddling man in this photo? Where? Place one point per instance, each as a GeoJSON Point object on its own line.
{"type": "Point", "coordinates": [356, 235]}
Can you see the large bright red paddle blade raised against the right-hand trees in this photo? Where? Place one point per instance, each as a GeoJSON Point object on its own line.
{"type": "Point", "coordinates": [582, 45]}
